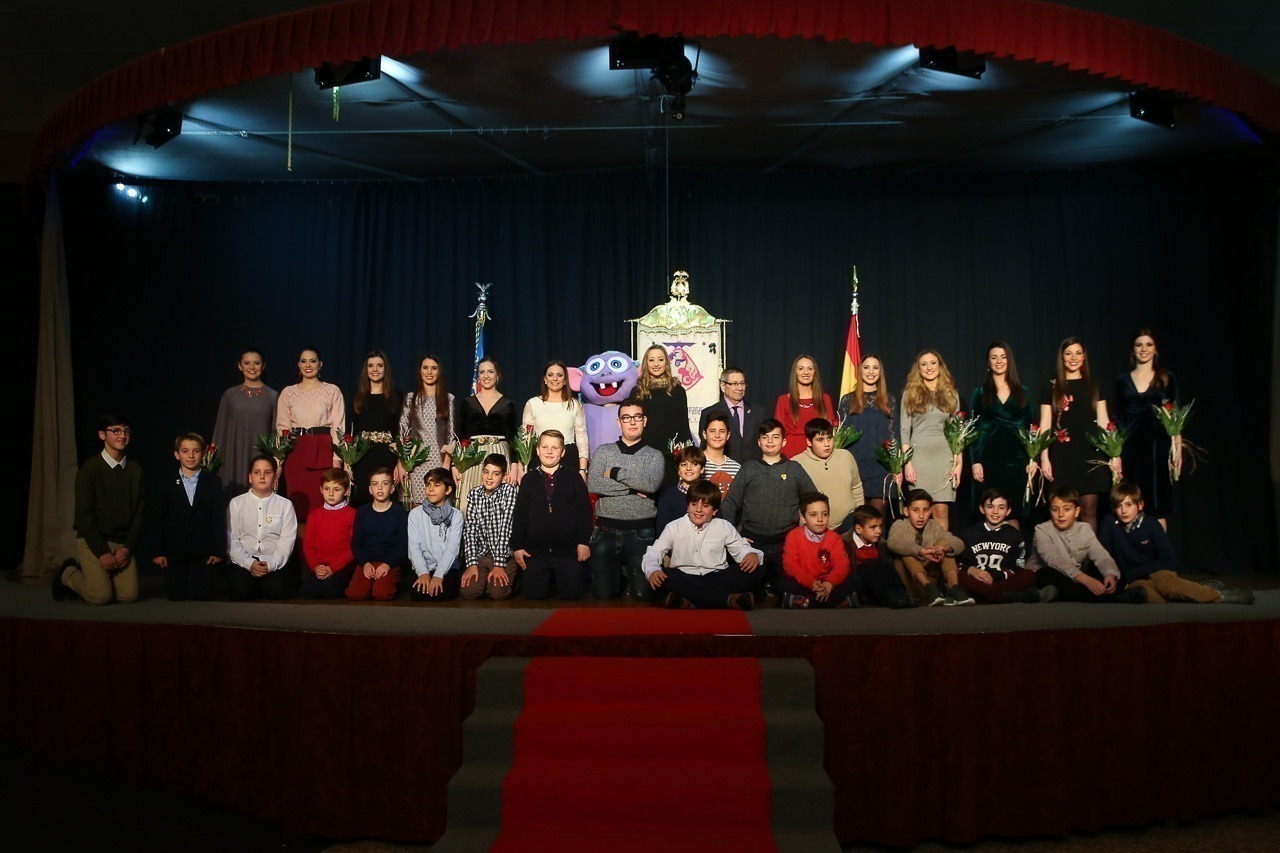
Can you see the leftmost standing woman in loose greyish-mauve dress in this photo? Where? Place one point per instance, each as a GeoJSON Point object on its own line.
{"type": "Point", "coordinates": [246, 412]}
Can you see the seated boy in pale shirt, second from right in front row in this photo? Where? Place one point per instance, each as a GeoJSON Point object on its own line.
{"type": "Point", "coordinates": [1073, 559]}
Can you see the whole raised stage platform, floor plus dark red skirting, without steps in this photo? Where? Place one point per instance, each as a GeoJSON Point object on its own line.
{"type": "Point", "coordinates": [952, 724]}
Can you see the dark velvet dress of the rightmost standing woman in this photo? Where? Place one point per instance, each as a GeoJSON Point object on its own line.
{"type": "Point", "coordinates": [1146, 451]}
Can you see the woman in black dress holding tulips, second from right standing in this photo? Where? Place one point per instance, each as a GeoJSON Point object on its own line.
{"type": "Point", "coordinates": [1072, 405]}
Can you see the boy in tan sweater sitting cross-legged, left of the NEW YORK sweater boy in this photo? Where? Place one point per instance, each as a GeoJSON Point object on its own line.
{"type": "Point", "coordinates": [926, 554]}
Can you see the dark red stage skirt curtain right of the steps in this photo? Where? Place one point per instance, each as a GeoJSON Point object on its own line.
{"type": "Point", "coordinates": [970, 736]}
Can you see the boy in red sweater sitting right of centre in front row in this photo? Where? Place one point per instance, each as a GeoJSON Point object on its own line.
{"type": "Point", "coordinates": [815, 563]}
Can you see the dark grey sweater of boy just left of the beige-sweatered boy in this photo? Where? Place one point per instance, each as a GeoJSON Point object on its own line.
{"type": "Point", "coordinates": [765, 500]}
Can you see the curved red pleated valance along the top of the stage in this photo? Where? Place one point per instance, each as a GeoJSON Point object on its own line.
{"type": "Point", "coordinates": [1007, 29]}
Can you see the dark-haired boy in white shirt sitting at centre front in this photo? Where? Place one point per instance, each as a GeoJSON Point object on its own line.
{"type": "Point", "coordinates": [700, 574]}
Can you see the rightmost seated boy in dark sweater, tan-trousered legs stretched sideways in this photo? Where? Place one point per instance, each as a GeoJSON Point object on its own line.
{"type": "Point", "coordinates": [1146, 556]}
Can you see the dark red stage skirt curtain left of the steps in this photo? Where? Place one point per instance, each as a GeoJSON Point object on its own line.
{"type": "Point", "coordinates": [337, 736]}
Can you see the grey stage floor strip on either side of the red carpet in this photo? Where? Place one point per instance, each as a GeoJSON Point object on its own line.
{"type": "Point", "coordinates": [31, 600]}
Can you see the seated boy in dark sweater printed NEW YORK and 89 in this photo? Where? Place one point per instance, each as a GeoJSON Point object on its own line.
{"type": "Point", "coordinates": [993, 565]}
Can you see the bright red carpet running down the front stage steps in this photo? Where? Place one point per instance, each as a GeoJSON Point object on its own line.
{"type": "Point", "coordinates": [639, 755]}
